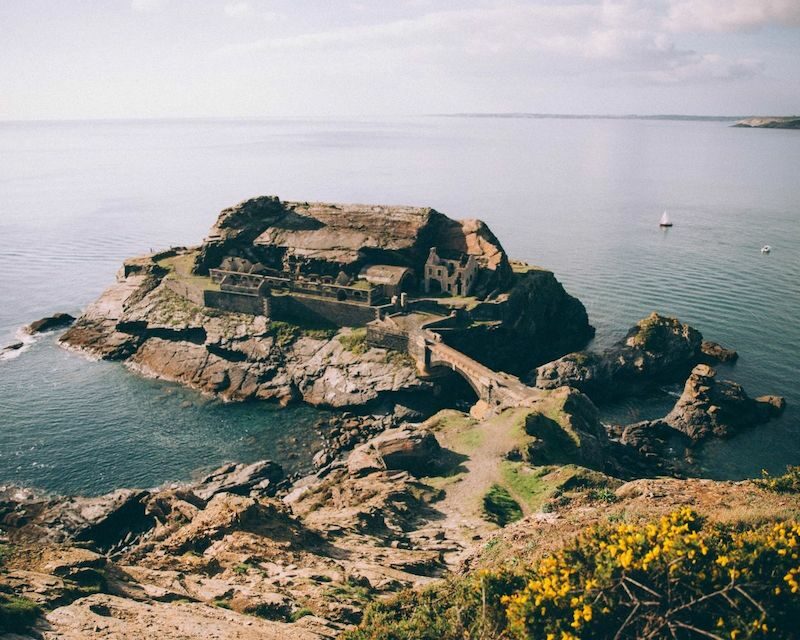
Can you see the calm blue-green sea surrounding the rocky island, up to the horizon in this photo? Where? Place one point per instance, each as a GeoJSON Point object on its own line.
{"type": "Point", "coordinates": [582, 197]}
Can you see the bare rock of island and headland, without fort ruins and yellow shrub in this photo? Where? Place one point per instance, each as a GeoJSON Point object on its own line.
{"type": "Point", "coordinates": [406, 490]}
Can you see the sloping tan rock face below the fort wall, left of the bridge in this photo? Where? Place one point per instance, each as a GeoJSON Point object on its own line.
{"type": "Point", "coordinates": [235, 356]}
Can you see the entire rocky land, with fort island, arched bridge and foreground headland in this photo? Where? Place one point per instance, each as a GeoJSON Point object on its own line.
{"type": "Point", "coordinates": [417, 519]}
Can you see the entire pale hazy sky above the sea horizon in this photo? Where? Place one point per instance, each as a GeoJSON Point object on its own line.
{"type": "Point", "coordinates": [154, 58]}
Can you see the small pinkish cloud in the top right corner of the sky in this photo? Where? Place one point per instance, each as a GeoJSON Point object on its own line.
{"type": "Point", "coordinates": [731, 15]}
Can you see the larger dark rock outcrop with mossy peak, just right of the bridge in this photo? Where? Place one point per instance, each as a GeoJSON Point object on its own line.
{"type": "Point", "coordinates": [657, 348]}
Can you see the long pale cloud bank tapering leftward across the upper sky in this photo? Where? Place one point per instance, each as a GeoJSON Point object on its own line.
{"type": "Point", "coordinates": [636, 41]}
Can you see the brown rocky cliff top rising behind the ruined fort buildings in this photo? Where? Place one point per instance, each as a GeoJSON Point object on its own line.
{"type": "Point", "coordinates": [328, 237]}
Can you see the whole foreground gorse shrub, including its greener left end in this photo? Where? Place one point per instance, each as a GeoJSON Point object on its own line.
{"type": "Point", "coordinates": [678, 577]}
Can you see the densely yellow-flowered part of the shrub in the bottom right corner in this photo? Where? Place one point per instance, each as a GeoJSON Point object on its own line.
{"type": "Point", "coordinates": [673, 578]}
